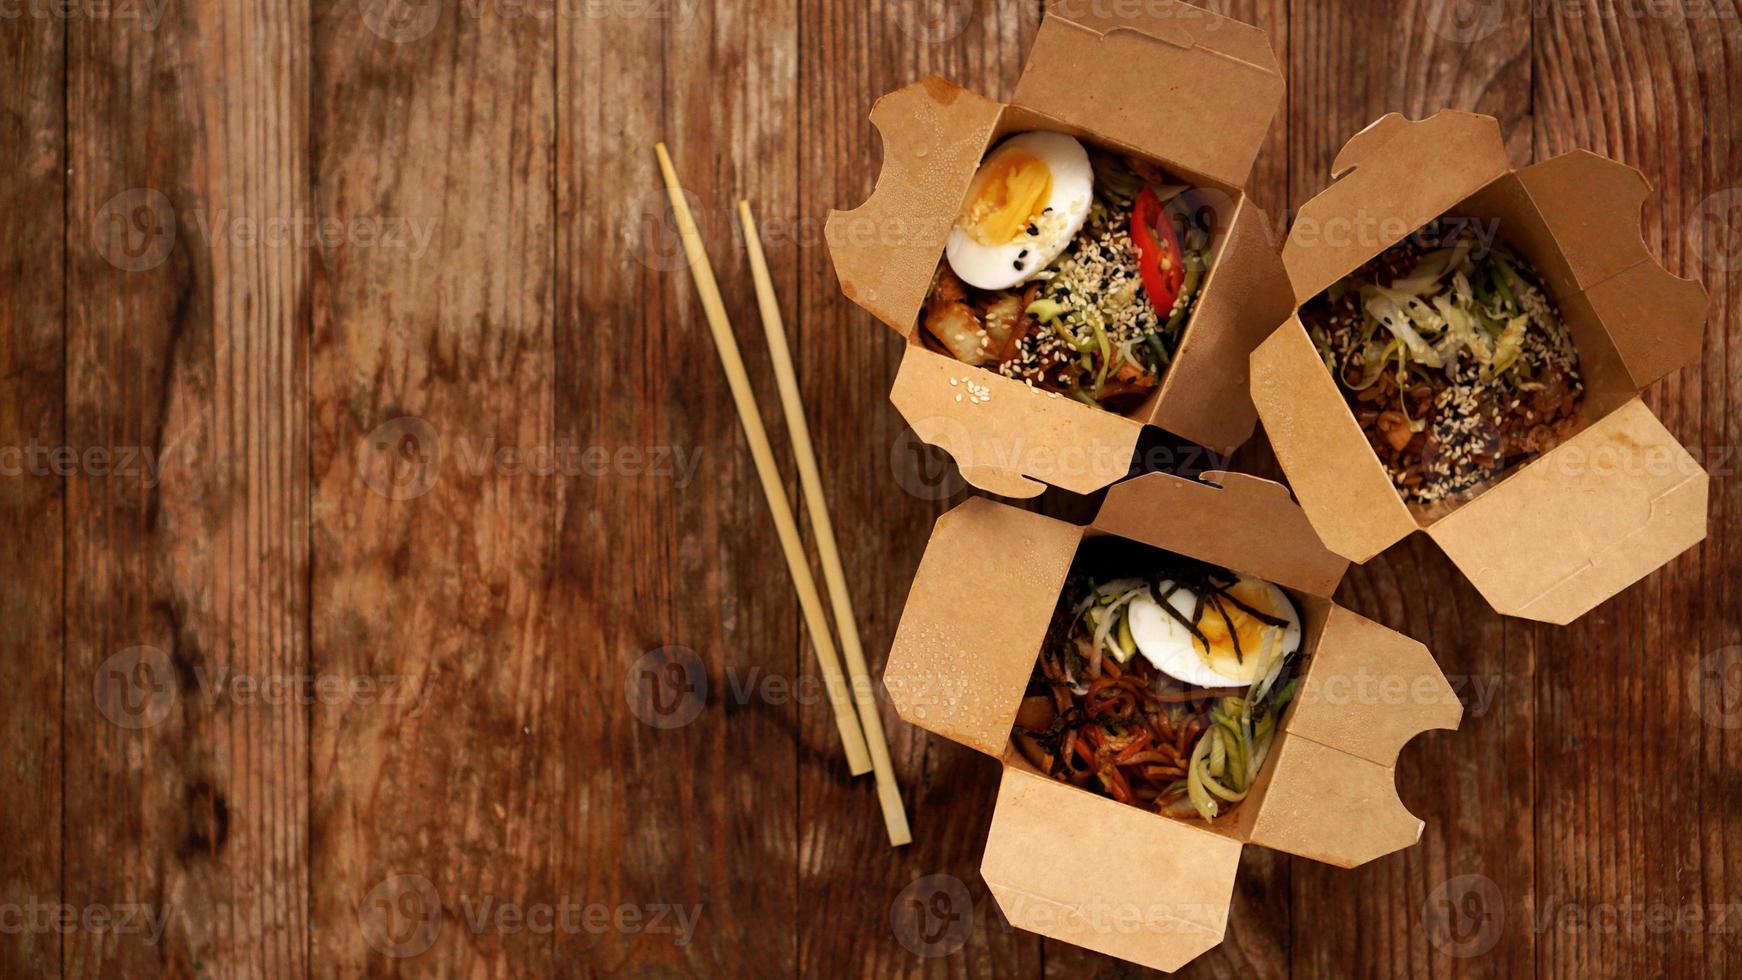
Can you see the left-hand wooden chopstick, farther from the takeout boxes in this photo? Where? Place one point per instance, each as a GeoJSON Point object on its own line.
{"type": "Point", "coordinates": [853, 741]}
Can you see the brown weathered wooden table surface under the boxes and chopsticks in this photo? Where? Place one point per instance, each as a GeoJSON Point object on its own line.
{"type": "Point", "coordinates": [389, 591]}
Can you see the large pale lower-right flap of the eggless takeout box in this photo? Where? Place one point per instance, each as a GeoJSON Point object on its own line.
{"type": "Point", "coordinates": [1584, 521]}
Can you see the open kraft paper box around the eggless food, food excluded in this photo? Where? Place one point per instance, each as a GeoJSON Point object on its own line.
{"type": "Point", "coordinates": [1604, 509]}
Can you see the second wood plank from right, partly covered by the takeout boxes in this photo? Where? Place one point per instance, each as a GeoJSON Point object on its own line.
{"type": "Point", "coordinates": [1412, 913]}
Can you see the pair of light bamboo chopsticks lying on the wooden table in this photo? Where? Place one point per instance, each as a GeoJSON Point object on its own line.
{"type": "Point", "coordinates": [863, 732]}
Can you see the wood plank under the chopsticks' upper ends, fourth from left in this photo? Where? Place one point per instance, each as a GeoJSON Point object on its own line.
{"type": "Point", "coordinates": [672, 603]}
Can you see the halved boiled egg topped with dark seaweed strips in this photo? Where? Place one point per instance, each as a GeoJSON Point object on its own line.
{"type": "Point", "coordinates": [1166, 643]}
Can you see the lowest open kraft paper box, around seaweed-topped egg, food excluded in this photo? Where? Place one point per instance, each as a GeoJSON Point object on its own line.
{"type": "Point", "coordinates": [1109, 876]}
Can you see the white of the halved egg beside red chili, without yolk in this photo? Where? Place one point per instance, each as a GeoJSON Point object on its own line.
{"type": "Point", "coordinates": [1013, 264]}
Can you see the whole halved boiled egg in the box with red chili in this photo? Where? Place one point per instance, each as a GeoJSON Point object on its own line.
{"type": "Point", "coordinates": [1029, 199]}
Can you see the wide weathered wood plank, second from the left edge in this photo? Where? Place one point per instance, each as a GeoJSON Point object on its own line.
{"type": "Point", "coordinates": [187, 556]}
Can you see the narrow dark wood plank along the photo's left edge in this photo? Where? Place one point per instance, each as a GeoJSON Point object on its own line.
{"type": "Point", "coordinates": [32, 495]}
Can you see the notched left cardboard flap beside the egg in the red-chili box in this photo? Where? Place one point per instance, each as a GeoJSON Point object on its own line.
{"type": "Point", "coordinates": [886, 250]}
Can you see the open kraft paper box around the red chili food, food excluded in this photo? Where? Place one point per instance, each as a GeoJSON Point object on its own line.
{"type": "Point", "coordinates": [1171, 83]}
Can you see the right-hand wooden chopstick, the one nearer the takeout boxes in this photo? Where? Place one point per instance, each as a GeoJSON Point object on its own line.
{"type": "Point", "coordinates": [811, 483]}
